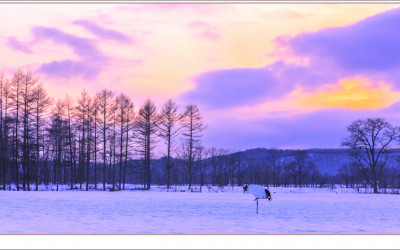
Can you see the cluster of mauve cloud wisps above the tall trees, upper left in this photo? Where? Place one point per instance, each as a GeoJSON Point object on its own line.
{"type": "Point", "coordinates": [91, 60]}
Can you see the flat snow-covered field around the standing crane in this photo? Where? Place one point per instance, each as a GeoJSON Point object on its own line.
{"type": "Point", "coordinates": [291, 211]}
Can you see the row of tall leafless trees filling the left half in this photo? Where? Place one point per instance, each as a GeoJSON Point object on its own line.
{"type": "Point", "coordinates": [43, 140]}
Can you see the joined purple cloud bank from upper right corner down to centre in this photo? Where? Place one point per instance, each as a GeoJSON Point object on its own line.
{"type": "Point", "coordinates": [370, 48]}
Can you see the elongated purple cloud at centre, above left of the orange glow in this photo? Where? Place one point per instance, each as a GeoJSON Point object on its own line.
{"type": "Point", "coordinates": [247, 86]}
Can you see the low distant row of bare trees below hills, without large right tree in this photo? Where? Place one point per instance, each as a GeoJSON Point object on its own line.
{"type": "Point", "coordinates": [221, 167]}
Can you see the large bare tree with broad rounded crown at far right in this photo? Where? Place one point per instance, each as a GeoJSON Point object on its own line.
{"type": "Point", "coordinates": [368, 143]}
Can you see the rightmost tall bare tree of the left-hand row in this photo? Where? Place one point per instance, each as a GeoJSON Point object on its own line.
{"type": "Point", "coordinates": [193, 127]}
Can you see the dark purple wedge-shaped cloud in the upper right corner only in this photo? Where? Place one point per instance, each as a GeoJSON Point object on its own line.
{"type": "Point", "coordinates": [370, 44]}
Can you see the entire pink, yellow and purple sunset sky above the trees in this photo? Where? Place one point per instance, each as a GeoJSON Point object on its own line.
{"type": "Point", "coordinates": [263, 75]}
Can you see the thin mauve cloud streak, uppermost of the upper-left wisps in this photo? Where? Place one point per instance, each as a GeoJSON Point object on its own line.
{"type": "Point", "coordinates": [103, 32]}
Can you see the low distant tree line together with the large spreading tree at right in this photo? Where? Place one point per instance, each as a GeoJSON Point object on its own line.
{"type": "Point", "coordinates": [372, 161]}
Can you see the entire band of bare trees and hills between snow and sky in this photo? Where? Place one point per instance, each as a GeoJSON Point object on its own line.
{"type": "Point", "coordinates": [101, 141]}
